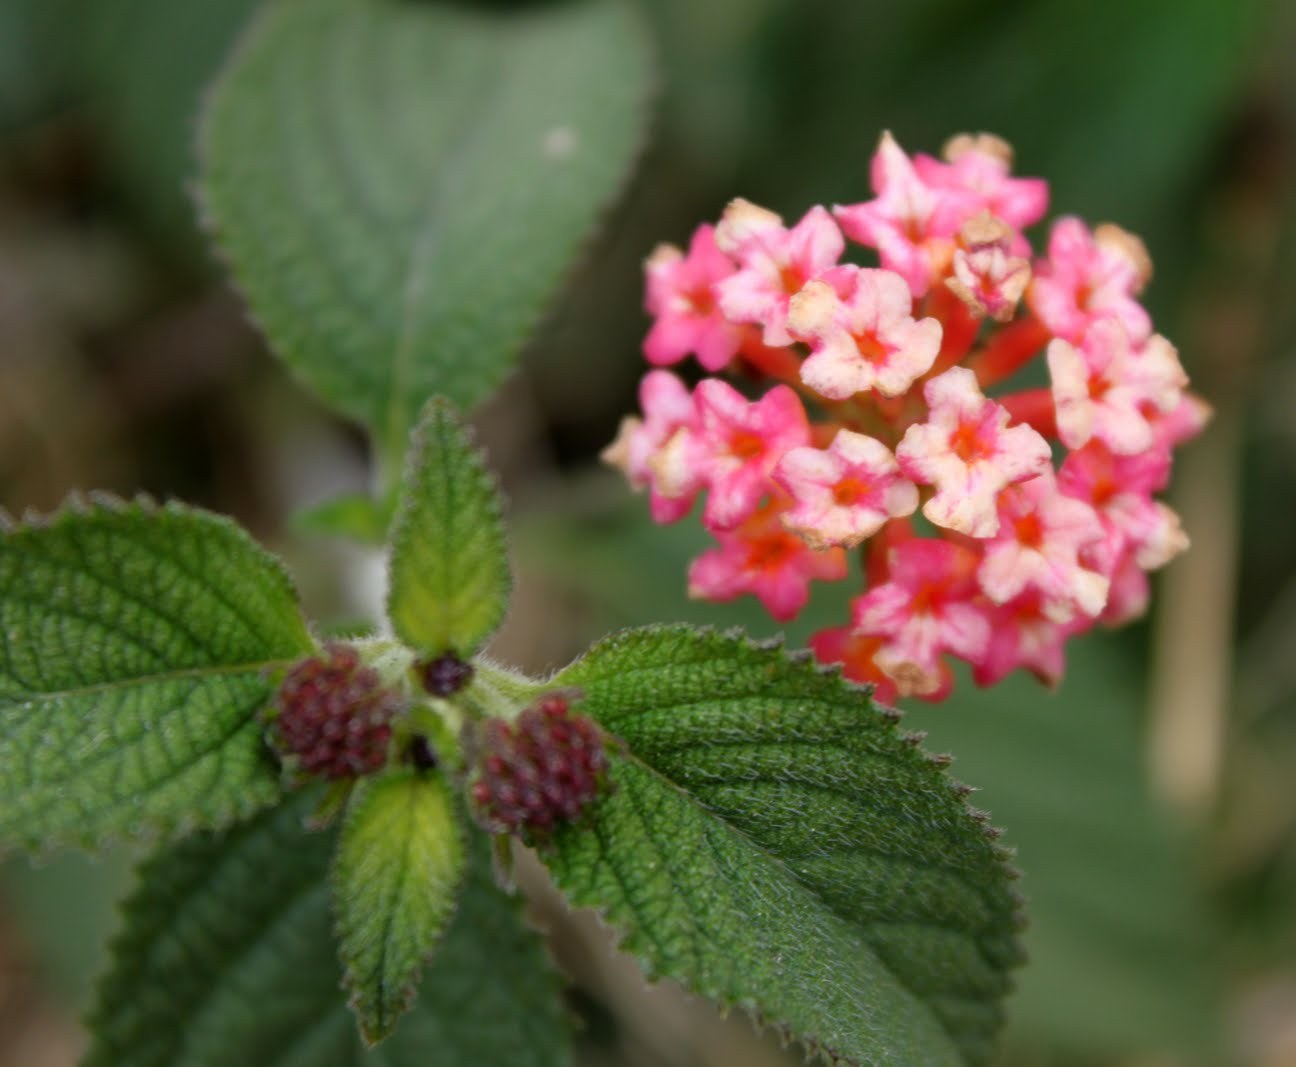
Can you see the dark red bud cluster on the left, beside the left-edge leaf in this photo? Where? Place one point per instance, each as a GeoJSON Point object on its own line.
{"type": "Point", "coordinates": [335, 715]}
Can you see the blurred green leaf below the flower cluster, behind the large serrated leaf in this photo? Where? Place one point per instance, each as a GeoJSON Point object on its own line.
{"type": "Point", "coordinates": [1119, 937]}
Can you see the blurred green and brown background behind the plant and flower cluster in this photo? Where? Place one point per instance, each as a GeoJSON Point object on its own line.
{"type": "Point", "coordinates": [1153, 799]}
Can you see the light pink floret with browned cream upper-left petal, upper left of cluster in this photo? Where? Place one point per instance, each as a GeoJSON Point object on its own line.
{"type": "Point", "coordinates": [774, 264]}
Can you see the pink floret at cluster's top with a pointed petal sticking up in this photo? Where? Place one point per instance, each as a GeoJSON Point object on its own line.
{"type": "Point", "coordinates": [899, 221]}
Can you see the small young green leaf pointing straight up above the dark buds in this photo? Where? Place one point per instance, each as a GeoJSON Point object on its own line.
{"type": "Point", "coordinates": [450, 574]}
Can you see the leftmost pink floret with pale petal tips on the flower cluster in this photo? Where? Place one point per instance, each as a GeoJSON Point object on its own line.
{"type": "Point", "coordinates": [659, 451]}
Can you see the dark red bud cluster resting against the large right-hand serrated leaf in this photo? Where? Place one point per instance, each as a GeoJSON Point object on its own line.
{"type": "Point", "coordinates": [544, 769]}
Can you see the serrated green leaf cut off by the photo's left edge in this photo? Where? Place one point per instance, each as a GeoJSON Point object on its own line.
{"type": "Point", "coordinates": [139, 644]}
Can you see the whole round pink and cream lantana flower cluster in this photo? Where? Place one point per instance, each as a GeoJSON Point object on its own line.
{"type": "Point", "coordinates": [881, 409]}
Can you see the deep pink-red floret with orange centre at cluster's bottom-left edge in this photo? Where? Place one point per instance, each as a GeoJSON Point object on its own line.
{"type": "Point", "coordinates": [763, 558]}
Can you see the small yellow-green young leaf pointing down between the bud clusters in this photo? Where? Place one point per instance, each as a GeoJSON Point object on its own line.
{"type": "Point", "coordinates": [399, 867]}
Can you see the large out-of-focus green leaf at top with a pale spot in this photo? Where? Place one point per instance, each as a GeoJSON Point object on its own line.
{"type": "Point", "coordinates": [400, 189]}
